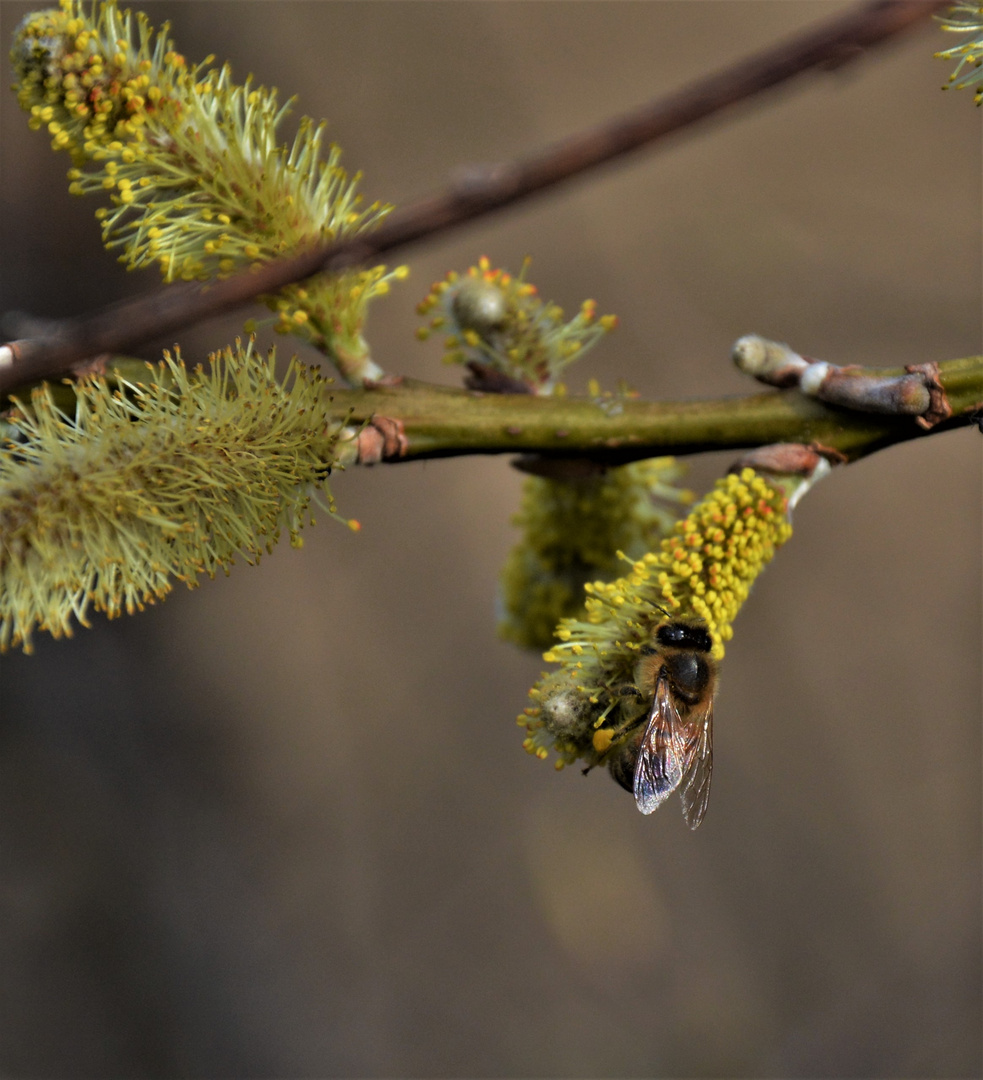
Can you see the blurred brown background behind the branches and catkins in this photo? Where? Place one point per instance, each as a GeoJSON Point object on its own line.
{"type": "Point", "coordinates": [284, 826]}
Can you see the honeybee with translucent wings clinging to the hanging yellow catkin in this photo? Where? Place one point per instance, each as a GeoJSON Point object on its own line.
{"type": "Point", "coordinates": [675, 749]}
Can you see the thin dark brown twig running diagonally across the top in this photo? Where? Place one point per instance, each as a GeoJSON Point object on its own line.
{"type": "Point", "coordinates": [475, 192]}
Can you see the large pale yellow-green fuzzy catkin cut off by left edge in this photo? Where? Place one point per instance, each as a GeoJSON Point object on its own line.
{"type": "Point", "coordinates": [153, 482]}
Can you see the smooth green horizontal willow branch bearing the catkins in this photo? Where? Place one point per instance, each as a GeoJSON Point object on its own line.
{"type": "Point", "coordinates": [411, 422]}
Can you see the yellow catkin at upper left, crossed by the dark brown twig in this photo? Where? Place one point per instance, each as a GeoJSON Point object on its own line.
{"type": "Point", "coordinates": [191, 164]}
